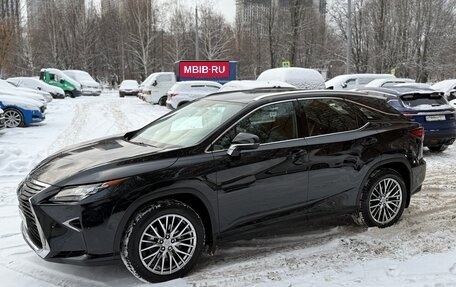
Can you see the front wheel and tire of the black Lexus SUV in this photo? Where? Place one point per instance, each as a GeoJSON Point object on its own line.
{"type": "Point", "coordinates": [145, 238]}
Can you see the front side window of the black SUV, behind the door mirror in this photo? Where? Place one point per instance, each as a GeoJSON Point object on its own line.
{"type": "Point", "coordinates": [270, 123]}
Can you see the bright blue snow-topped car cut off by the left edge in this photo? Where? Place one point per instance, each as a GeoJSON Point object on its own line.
{"type": "Point", "coordinates": [19, 112]}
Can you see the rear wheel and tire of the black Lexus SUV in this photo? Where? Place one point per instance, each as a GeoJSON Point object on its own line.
{"type": "Point", "coordinates": [383, 199]}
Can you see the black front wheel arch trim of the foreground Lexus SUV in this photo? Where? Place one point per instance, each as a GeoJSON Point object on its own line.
{"type": "Point", "coordinates": [191, 197]}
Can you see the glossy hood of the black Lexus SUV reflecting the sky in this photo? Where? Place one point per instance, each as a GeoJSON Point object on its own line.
{"type": "Point", "coordinates": [100, 160]}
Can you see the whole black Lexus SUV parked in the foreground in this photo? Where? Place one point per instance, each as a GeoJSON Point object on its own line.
{"type": "Point", "coordinates": [156, 197]}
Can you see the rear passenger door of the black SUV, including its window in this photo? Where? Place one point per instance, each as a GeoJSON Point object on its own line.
{"type": "Point", "coordinates": [336, 144]}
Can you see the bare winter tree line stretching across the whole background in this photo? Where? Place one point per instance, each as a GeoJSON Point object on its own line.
{"type": "Point", "coordinates": [411, 38]}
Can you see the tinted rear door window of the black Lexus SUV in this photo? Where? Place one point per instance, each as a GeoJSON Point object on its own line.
{"type": "Point", "coordinates": [327, 116]}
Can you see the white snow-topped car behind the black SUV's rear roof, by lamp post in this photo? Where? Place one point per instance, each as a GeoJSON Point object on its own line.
{"type": "Point", "coordinates": [354, 81]}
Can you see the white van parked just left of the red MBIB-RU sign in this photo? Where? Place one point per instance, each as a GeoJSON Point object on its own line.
{"type": "Point", "coordinates": [155, 88]}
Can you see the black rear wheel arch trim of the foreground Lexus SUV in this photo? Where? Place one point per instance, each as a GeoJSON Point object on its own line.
{"type": "Point", "coordinates": [400, 165]}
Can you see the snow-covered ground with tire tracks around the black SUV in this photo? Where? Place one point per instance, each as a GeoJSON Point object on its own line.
{"type": "Point", "coordinates": [418, 251]}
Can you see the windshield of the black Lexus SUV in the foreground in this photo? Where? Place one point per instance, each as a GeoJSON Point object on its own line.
{"type": "Point", "coordinates": [188, 125]}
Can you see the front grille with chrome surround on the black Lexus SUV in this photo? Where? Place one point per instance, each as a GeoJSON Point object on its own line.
{"type": "Point", "coordinates": [27, 190]}
